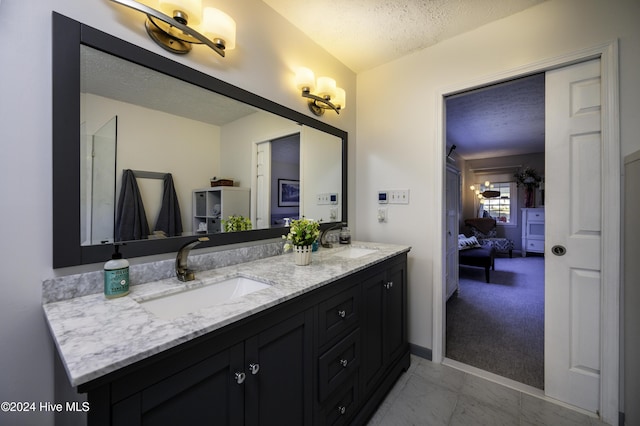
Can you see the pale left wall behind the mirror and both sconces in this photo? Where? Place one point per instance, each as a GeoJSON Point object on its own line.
{"type": "Point", "coordinates": [268, 51]}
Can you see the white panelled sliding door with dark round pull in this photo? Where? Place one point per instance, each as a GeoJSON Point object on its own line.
{"type": "Point", "coordinates": [573, 234]}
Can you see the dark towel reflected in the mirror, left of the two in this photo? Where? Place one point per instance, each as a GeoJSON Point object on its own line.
{"type": "Point", "coordinates": [131, 219]}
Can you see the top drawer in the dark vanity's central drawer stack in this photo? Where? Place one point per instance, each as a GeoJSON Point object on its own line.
{"type": "Point", "coordinates": [338, 314]}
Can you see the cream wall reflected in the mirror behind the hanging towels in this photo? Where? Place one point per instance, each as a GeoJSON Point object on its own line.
{"type": "Point", "coordinates": [155, 141]}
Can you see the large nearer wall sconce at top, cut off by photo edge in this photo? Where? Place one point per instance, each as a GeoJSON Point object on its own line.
{"type": "Point", "coordinates": [173, 27]}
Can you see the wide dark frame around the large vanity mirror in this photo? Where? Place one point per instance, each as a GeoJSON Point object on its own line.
{"type": "Point", "coordinates": [68, 35]}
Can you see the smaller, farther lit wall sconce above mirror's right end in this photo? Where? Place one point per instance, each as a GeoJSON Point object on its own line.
{"type": "Point", "coordinates": [322, 95]}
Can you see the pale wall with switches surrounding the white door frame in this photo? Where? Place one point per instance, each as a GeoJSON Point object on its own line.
{"type": "Point", "coordinates": [397, 138]}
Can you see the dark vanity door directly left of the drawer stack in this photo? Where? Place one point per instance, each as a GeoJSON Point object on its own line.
{"type": "Point", "coordinates": [278, 388]}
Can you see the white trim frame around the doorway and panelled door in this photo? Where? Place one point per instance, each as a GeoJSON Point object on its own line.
{"type": "Point", "coordinates": [611, 223]}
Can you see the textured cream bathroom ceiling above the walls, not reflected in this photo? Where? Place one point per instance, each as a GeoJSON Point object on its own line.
{"type": "Point", "coordinates": [363, 34]}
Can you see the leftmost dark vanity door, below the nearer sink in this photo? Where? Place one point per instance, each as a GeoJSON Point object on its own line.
{"type": "Point", "coordinates": [205, 393]}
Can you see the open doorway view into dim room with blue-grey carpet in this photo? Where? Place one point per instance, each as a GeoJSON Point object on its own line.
{"type": "Point", "coordinates": [495, 319]}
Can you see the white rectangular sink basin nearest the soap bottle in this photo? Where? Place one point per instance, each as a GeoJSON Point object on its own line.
{"type": "Point", "coordinates": [174, 305]}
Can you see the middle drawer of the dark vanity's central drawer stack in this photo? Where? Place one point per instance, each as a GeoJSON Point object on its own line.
{"type": "Point", "coordinates": [337, 364]}
